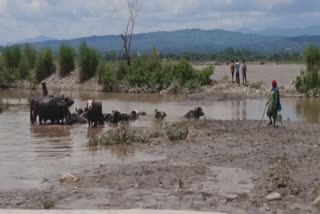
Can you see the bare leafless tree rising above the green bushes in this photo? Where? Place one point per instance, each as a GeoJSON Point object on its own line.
{"type": "Point", "coordinates": [127, 36]}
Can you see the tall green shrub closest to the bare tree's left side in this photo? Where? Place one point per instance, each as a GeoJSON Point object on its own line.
{"type": "Point", "coordinates": [88, 62]}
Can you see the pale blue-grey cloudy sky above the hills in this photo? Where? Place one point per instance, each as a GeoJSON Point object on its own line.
{"type": "Point", "coordinates": [62, 19]}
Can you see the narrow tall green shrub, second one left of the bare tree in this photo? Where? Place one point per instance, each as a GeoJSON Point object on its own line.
{"type": "Point", "coordinates": [66, 59]}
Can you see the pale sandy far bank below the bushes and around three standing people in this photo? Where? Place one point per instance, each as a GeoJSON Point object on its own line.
{"type": "Point", "coordinates": [259, 77]}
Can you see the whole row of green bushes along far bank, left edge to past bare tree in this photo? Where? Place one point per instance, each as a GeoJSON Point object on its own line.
{"type": "Point", "coordinates": [148, 70]}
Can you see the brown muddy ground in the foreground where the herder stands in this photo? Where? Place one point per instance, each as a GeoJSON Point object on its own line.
{"type": "Point", "coordinates": [226, 166]}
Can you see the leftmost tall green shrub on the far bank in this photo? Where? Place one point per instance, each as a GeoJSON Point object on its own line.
{"type": "Point", "coordinates": [11, 57]}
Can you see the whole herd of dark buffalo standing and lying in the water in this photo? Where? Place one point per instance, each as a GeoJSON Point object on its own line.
{"type": "Point", "coordinates": [56, 110]}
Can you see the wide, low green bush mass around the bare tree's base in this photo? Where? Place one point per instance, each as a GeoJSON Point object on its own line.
{"type": "Point", "coordinates": [152, 71]}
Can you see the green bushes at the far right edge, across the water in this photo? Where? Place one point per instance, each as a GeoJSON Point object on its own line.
{"type": "Point", "coordinates": [309, 82]}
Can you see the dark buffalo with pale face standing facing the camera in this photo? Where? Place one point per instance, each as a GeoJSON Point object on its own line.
{"type": "Point", "coordinates": [94, 113]}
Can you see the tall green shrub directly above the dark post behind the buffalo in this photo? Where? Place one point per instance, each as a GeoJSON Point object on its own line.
{"type": "Point", "coordinates": [44, 65]}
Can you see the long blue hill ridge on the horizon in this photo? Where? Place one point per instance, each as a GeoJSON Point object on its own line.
{"type": "Point", "coordinates": [195, 40]}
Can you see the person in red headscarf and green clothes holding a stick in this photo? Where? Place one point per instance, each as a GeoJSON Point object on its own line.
{"type": "Point", "coordinates": [274, 104]}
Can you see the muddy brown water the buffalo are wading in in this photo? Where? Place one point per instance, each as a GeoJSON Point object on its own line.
{"type": "Point", "coordinates": [32, 154]}
